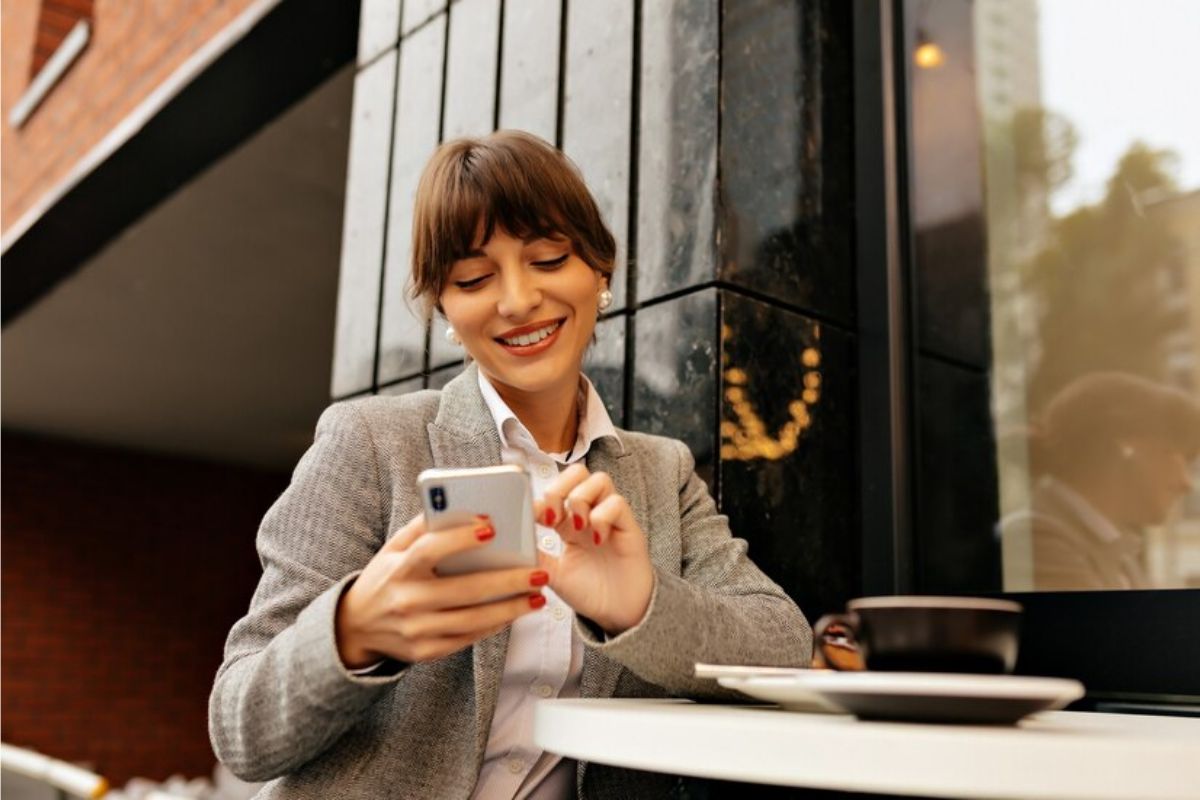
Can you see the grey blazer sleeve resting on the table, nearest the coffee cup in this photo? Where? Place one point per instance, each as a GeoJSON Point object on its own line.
{"type": "Point", "coordinates": [721, 610]}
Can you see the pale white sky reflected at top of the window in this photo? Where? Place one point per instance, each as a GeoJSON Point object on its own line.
{"type": "Point", "coordinates": [1123, 71]}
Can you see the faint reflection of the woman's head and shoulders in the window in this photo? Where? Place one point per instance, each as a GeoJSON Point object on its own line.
{"type": "Point", "coordinates": [1113, 455]}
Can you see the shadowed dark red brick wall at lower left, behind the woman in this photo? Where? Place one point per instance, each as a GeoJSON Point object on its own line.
{"type": "Point", "coordinates": [122, 576]}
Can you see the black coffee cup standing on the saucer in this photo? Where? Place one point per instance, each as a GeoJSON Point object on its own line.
{"type": "Point", "coordinates": [921, 634]}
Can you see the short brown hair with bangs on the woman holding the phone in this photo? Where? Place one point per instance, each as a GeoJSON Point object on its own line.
{"type": "Point", "coordinates": [509, 179]}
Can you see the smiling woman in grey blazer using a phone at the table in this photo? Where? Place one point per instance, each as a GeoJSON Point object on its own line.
{"type": "Point", "coordinates": [358, 672]}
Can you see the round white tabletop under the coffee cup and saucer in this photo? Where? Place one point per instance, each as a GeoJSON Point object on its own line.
{"type": "Point", "coordinates": [1053, 756]}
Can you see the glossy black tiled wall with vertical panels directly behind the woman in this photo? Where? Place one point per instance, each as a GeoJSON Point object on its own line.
{"type": "Point", "coordinates": [718, 140]}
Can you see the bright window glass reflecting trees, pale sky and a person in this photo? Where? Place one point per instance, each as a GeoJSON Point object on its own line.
{"type": "Point", "coordinates": [1095, 298]}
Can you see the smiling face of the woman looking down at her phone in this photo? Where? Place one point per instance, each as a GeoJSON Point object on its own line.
{"type": "Point", "coordinates": [524, 310]}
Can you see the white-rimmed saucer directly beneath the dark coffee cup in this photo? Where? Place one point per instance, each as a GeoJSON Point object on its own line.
{"type": "Point", "coordinates": [927, 697]}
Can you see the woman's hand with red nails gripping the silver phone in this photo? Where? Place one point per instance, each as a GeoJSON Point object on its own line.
{"type": "Point", "coordinates": [400, 609]}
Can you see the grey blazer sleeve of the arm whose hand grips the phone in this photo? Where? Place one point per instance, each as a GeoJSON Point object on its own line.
{"type": "Point", "coordinates": [283, 695]}
